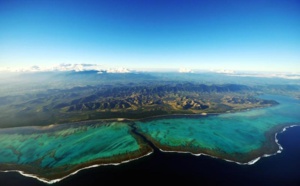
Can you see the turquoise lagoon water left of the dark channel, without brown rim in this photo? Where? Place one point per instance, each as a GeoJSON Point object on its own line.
{"type": "Point", "coordinates": [68, 146]}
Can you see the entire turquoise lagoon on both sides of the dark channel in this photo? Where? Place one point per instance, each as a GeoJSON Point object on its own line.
{"type": "Point", "coordinates": [55, 150]}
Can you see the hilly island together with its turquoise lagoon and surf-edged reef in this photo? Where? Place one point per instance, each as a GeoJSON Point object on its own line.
{"type": "Point", "coordinates": [54, 133]}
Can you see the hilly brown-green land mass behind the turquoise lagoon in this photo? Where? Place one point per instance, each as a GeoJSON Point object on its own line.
{"type": "Point", "coordinates": [131, 101]}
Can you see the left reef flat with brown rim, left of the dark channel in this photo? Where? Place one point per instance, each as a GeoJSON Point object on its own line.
{"type": "Point", "coordinates": [55, 151]}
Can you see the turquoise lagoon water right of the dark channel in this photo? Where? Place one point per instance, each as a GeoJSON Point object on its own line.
{"type": "Point", "coordinates": [230, 133]}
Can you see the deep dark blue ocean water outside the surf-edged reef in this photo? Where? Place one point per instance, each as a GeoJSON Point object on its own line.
{"type": "Point", "coordinates": [175, 168]}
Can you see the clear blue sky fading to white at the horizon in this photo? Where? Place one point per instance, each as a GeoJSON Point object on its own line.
{"type": "Point", "coordinates": [256, 35]}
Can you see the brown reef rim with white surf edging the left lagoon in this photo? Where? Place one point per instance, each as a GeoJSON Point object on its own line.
{"type": "Point", "coordinates": [55, 174]}
